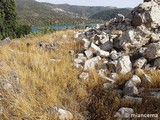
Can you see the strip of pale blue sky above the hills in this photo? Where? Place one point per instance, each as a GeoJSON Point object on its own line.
{"type": "Point", "coordinates": [117, 3]}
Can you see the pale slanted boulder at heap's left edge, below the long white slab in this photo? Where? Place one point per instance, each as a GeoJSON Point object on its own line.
{"type": "Point", "coordinates": [90, 64]}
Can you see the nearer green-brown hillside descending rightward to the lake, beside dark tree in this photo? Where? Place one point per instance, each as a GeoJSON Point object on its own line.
{"type": "Point", "coordinates": [36, 13]}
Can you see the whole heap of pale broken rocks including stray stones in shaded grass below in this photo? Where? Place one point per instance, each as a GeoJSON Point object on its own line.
{"type": "Point", "coordinates": [122, 46]}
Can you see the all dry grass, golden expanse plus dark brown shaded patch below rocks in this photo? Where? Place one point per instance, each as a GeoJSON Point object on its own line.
{"type": "Point", "coordinates": [46, 83]}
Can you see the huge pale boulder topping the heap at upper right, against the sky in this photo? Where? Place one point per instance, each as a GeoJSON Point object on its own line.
{"type": "Point", "coordinates": [147, 13]}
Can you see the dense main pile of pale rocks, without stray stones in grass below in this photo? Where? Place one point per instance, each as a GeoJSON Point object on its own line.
{"type": "Point", "coordinates": [124, 43]}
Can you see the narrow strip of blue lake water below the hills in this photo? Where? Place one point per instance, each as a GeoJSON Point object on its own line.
{"type": "Point", "coordinates": [61, 27]}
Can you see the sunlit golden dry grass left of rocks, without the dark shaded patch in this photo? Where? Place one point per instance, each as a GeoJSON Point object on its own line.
{"type": "Point", "coordinates": [45, 83]}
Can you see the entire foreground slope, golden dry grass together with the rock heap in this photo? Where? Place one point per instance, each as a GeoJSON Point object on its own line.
{"type": "Point", "coordinates": [102, 73]}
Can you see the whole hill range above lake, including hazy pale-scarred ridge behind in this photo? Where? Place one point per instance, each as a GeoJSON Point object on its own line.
{"type": "Point", "coordinates": [41, 13]}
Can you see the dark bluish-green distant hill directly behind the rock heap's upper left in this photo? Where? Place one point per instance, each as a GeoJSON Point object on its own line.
{"type": "Point", "coordinates": [109, 14]}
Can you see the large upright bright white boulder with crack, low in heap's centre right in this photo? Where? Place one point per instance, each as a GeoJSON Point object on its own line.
{"type": "Point", "coordinates": [124, 65]}
